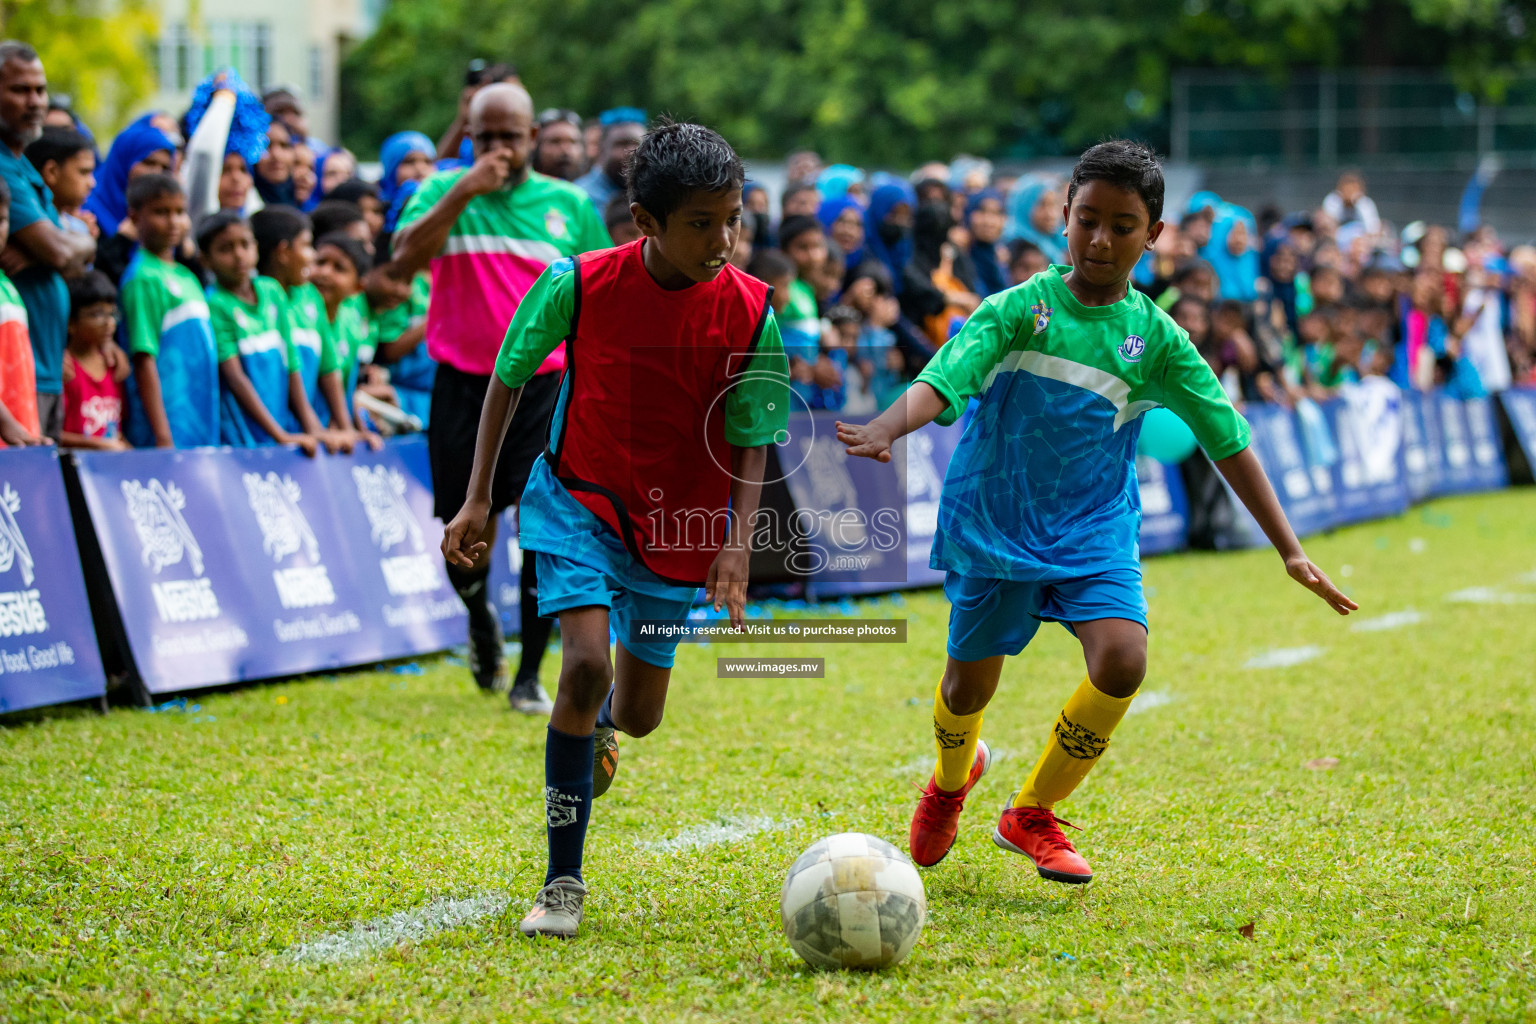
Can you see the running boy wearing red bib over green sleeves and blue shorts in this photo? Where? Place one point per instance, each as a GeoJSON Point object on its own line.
{"type": "Point", "coordinates": [675, 386]}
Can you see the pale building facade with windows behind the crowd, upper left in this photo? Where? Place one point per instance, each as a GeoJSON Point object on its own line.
{"type": "Point", "coordinates": [291, 44]}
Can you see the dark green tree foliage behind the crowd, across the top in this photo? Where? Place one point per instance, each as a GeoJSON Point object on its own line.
{"type": "Point", "coordinates": [895, 81]}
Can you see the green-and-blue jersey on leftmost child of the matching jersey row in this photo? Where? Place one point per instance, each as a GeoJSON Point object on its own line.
{"type": "Point", "coordinates": [167, 315]}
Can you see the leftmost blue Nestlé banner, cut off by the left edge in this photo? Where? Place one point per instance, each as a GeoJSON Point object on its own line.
{"type": "Point", "coordinates": [48, 649]}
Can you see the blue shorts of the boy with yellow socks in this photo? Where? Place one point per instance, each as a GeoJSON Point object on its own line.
{"type": "Point", "coordinates": [990, 616]}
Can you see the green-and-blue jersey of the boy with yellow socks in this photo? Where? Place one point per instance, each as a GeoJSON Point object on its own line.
{"type": "Point", "coordinates": [1044, 486]}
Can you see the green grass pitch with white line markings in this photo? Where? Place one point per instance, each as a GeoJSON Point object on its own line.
{"type": "Point", "coordinates": [208, 865]}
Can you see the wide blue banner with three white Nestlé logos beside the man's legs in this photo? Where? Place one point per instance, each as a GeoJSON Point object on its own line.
{"type": "Point", "coordinates": [256, 563]}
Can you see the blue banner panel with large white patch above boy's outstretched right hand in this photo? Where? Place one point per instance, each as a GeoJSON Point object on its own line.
{"type": "Point", "coordinates": [1368, 429]}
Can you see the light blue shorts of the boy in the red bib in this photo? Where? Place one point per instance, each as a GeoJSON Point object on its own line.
{"type": "Point", "coordinates": [583, 564]}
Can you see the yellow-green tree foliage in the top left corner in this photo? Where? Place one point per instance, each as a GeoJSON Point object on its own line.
{"type": "Point", "coordinates": [96, 53]}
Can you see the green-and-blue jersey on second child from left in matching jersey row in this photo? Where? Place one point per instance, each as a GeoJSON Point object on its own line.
{"type": "Point", "coordinates": [256, 334]}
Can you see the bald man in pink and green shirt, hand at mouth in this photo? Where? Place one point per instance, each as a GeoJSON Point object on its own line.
{"type": "Point", "coordinates": [486, 233]}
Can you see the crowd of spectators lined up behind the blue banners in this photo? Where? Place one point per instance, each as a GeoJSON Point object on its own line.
{"type": "Point", "coordinates": [279, 320]}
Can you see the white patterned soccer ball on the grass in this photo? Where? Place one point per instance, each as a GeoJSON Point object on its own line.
{"type": "Point", "coordinates": [853, 902]}
